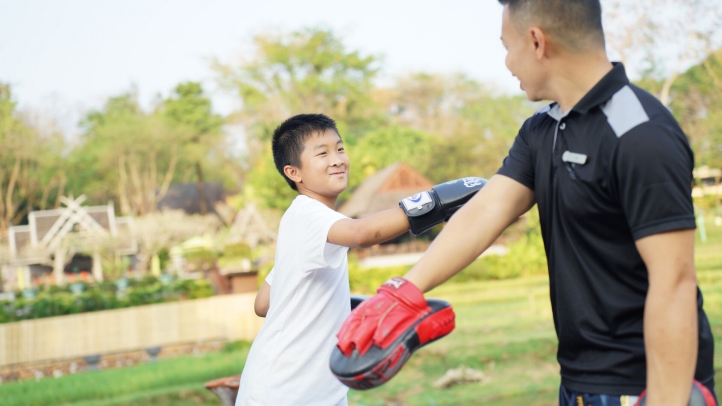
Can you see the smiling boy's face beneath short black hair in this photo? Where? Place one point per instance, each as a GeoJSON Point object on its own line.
{"type": "Point", "coordinates": [324, 164]}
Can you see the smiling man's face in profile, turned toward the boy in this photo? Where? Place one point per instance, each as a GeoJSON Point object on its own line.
{"type": "Point", "coordinates": [521, 57]}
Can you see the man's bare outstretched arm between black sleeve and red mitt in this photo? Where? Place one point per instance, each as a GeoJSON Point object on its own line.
{"type": "Point", "coordinates": [471, 231]}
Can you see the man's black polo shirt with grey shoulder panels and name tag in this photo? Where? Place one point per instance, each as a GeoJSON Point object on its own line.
{"type": "Point", "coordinates": [614, 169]}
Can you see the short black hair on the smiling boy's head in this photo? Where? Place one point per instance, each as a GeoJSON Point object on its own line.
{"type": "Point", "coordinates": [289, 138]}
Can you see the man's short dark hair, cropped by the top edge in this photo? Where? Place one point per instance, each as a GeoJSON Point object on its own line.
{"type": "Point", "coordinates": [576, 25]}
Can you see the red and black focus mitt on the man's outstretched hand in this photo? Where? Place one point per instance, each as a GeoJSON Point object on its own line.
{"type": "Point", "coordinates": [381, 333]}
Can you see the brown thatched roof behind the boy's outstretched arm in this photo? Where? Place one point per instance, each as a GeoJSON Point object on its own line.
{"type": "Point", "coordinates": [384, 189]}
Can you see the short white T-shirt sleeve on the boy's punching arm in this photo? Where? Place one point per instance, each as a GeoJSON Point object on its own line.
{"type": "Point", "coordinates": [313, 223]}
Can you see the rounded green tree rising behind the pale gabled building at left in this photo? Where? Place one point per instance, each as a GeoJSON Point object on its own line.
{"type": "Point", "coordinates": [133, 152]}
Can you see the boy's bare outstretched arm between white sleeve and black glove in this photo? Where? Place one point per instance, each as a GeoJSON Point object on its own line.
{"type": "Point", "coordinates": [370, 230]}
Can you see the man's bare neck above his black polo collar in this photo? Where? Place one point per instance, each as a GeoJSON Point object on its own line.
{"type": "Point", "coordinates": [575, 76]}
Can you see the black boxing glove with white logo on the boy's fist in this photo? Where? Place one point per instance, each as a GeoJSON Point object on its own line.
{"type": "Point", "coordinates": [427, 209]}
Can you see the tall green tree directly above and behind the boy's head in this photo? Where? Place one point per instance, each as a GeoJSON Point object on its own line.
{"type": "Point", "coordinates": [306, 71]}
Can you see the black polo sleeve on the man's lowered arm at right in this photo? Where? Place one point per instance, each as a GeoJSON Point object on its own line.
{"type": "Point", "coordinates": [652, 168]}
